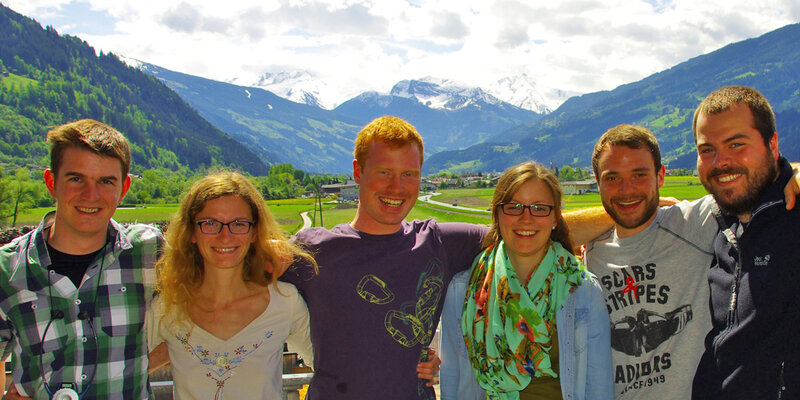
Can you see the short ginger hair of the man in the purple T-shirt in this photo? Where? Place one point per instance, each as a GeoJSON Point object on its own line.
{"type": "Point", "coordinates": [393, 131]}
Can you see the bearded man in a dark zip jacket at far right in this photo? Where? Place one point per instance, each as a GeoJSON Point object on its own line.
{"type": "Point", "coordinates": [752, 351]}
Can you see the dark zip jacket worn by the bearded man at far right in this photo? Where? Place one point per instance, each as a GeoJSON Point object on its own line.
{"type": "Point", "coordinates": [753, 349]}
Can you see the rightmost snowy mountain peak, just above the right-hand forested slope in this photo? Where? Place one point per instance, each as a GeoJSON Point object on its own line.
{"type": "Point", "coordinates": [524, 92]}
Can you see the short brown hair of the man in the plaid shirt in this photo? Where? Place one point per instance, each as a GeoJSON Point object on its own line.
{"type": "Point", "coordinates": [91, 135]}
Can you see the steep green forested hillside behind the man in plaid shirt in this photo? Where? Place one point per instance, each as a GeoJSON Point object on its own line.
{"type": "Point", "coordinates": [48, 79]}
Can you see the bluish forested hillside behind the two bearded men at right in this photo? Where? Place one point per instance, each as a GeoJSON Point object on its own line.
{"type": "Point", "coordinates": [664, 102]}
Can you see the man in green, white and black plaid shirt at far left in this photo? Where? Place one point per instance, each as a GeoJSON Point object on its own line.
{"type": "Point", "coordinates": [74, 292]}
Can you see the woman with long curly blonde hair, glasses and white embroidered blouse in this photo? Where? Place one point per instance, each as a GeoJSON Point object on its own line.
{"type": "Point", "coordinates": [220, 309]}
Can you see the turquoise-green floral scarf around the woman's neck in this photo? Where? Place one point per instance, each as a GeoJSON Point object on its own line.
{"type": "Point", "coordinates": [506, 325]}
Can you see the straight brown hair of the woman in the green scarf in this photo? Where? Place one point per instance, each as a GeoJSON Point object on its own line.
{"type": "Point", "coordinates": [509, 183]}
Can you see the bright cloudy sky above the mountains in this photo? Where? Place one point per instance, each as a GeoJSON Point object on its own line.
{"type": "Point", "coordinates": [355, 45]}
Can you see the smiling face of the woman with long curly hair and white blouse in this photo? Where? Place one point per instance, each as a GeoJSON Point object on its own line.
{"type": "Point", "coordinates": [224, 249]}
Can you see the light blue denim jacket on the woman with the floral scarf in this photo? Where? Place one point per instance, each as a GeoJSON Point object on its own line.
{"type": "Point", "coordinates": [583, 337]}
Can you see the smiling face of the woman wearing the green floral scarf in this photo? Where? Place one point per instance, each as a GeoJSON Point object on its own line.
{"type": "Point", "coordinates": [526, 236]}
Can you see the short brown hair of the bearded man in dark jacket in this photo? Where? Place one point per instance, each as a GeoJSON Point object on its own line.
{"type": "Point", "coordinates": [724, 99]}
